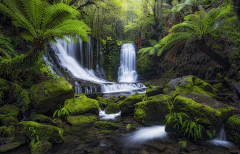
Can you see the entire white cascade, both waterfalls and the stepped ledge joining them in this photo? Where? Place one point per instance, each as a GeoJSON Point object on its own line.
{"type": "Point", "coordinates": [80, 65]}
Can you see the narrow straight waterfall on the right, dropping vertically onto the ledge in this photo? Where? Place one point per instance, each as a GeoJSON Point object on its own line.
{"type": "Point", "coordinates": [127, 70]}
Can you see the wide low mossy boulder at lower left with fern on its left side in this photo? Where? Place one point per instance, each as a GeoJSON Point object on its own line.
{"type": "Point", "coordinates": [45, 132]}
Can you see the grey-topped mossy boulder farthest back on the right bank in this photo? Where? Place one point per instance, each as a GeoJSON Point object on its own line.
{"type": "Point", "coordinates": [188, 84]}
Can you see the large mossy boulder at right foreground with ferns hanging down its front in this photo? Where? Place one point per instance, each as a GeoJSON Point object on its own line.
{"type": "Point", "coordinates": [209, 117]}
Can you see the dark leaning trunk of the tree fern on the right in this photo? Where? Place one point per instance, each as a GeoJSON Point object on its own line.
{"type": "Point", "coordinates": [212, 54]}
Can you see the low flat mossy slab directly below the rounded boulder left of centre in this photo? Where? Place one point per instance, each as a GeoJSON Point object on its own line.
{"type": "Point", "coordinates": [81, 119]}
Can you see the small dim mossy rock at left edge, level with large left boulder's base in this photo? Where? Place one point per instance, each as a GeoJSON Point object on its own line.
{"type": "Point", "coordinates": [9, 110]}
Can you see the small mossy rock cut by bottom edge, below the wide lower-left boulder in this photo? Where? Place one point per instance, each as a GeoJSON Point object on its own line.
{"type": "Point", "coordinates": [41, 147]}
